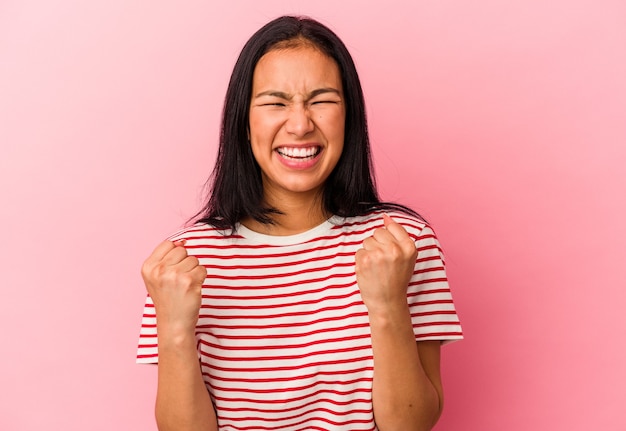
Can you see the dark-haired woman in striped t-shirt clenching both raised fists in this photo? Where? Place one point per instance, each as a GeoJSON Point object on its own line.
{"type": "Point", "coordinates": [299, 300]}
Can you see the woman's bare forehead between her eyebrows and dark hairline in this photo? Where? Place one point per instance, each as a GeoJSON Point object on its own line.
{"type": "Point", "coordinates": [294, 67]}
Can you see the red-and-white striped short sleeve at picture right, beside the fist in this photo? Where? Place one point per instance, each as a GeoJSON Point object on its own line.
{"type": "Point", "coordinates": [430, 301]}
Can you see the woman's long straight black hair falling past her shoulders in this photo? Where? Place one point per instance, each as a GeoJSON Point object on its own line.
{"type": "Point", "coordinates": [236, 187]}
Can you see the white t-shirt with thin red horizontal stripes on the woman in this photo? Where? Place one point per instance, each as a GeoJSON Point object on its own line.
{"type": "Point", "coordinates": [283, 335]}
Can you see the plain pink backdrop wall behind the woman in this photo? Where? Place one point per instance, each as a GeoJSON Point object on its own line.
{"type": "Point", "coordinates": [502, 122]}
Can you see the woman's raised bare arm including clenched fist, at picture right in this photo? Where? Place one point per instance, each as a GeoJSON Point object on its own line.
{"type": "Point", "coordinates": [407, 390]}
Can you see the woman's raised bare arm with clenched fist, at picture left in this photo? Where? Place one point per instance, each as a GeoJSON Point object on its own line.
{"type": "Point", "coordinates": [174, 281]}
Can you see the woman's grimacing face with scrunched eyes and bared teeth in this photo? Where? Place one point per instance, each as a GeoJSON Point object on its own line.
{"type": "Point", "coordinates": [297, 120]}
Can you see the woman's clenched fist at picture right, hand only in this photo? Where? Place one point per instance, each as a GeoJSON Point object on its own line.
{"type": "Point", "coordinates": [384, 267]}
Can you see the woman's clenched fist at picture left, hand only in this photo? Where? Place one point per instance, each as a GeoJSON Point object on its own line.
{"type": "Point", "coordinates": [174, 281]}
